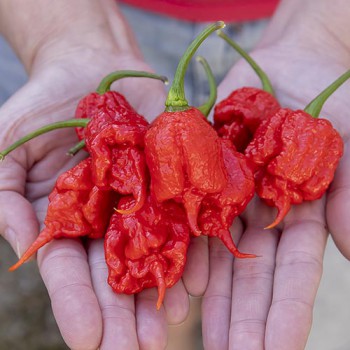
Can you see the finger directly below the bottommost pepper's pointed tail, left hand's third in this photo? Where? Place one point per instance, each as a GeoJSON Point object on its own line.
{"type": "Point", "coordinates": [151, 323]}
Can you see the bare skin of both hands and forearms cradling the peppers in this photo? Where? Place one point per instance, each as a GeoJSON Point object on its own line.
{"type": "Point", "coordinates": [265, 303]}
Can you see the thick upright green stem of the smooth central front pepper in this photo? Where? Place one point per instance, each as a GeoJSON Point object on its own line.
{"type": "Point", "coordinates": [176, 100]}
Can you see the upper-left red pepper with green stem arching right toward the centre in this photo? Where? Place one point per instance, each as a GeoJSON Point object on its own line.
{"type": "Point", "coordinates": [115, 138]}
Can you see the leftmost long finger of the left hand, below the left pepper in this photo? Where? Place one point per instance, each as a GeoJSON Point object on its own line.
{"type": "Point", "coordinates": [66, 274]}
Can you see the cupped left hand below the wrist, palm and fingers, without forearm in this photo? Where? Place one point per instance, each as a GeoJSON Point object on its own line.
{"type": "Point", "coordinates": [88, 313]}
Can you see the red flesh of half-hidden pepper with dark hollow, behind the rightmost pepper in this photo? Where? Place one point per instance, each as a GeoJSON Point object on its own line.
{"type": "Point", "coordinates": [237, 117]}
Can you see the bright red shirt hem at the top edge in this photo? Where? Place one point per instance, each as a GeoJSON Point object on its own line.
{"type": "Point", "coordinates": [209, 10]}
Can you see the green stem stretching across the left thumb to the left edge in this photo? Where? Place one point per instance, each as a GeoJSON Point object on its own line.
{"type": "Point", "coordinates": [59, 125]}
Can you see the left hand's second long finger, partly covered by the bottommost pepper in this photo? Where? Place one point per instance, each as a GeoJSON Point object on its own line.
{"type": "Point", "coordinates": [118, 310]}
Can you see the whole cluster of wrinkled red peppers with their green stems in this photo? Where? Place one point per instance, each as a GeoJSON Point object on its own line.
{"type": "Point", "coordinates": [146, 188]}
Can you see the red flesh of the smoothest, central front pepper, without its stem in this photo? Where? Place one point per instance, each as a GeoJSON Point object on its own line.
{"type": "Point", "coordinates": [184, 158]}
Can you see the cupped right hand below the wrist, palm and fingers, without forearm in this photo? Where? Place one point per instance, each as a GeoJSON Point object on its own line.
{"type": "Point", "coordinates": [267, 302]}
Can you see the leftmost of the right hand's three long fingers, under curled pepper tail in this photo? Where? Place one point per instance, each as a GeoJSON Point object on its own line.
{"type": "Point", "coordinates": [216, 304]}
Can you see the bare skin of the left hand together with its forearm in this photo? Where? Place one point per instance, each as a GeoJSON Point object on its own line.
{"type": "Point", "coordinates": [64, 68]}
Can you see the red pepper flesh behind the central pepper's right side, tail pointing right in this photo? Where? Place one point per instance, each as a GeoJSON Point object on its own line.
{"type": "Point", "coordinates": [219, 210]}
